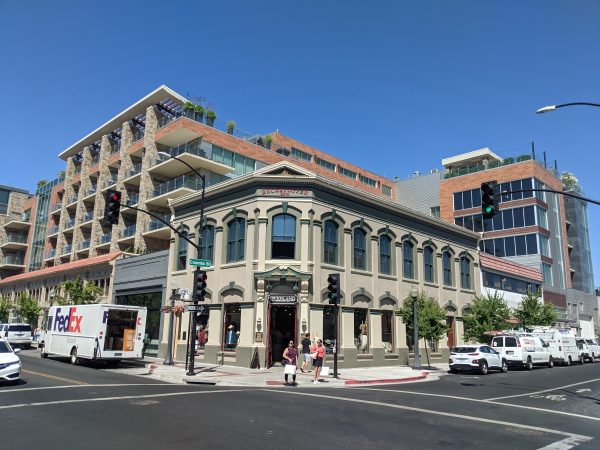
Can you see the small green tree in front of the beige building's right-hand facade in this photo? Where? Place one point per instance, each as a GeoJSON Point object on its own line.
{"type": "Point", "coordinates": [431, 317]}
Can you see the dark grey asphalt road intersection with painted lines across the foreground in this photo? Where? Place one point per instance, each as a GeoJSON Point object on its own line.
{"type": "Point", "coordinates": [74, 407]}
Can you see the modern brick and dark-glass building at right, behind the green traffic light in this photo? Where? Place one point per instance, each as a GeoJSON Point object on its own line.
{"type": "Point", "coordinates": [531, 228]}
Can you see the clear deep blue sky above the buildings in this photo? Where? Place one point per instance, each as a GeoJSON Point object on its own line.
{"type": "Point", "coordinates": [392, 86]}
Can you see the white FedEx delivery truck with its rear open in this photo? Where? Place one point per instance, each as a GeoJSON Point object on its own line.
{"type": "Point", "coordinates": [96, 332]}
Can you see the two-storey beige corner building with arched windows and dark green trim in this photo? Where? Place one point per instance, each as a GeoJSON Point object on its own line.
{"type": "Point", "coordinates": [274, 235]}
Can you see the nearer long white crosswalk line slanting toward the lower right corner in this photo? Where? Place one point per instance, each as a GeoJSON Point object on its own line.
{"type": "Point", "coordinates": [579, 437]}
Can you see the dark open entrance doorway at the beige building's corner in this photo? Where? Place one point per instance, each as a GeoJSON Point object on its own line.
{"type": "Point", "coordinates": [282, 330]}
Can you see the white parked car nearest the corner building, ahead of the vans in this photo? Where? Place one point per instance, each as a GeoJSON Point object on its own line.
{"type": "Point", "coordinates": [477, 357]}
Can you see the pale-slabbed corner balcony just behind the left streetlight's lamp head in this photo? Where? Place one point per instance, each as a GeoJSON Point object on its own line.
{"type": "Point", "coordinates": [192, 154]}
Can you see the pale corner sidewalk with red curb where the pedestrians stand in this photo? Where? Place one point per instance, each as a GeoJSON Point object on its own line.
{"type": "Point", "coordinates": [274, 377]}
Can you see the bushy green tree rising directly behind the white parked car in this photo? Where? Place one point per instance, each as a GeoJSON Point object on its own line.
{"type": "Point", "coordinates": [489, 312]}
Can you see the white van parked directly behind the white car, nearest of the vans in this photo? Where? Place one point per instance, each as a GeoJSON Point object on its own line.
{"type": "Point", "coordinates": [523, 350]}
